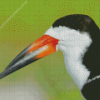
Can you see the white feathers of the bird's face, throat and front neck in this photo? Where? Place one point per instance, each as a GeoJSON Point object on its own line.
{"type": "Point", "coordinates": [73, 44]}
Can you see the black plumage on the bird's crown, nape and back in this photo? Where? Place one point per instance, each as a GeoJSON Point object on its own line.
{"type": "Point", "coordinates": [91, 59]}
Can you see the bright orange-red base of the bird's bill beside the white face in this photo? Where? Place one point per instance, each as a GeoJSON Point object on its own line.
{"type": "Point", "coordinates": [49, 43]}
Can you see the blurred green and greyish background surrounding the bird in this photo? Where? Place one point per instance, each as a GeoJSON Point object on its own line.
{"type": "Point", "coordinates": [21, 23]}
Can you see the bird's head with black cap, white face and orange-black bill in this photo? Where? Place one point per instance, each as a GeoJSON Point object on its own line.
{"type": "Point", "coordinates": [69, 34]}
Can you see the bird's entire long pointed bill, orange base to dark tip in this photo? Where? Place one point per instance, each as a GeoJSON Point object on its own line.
{"type": "Point", "coordinates": [42, 47]}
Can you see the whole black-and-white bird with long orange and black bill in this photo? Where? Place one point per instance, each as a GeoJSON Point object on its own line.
{"type": "Point", "coordinates": [78, 37]}
